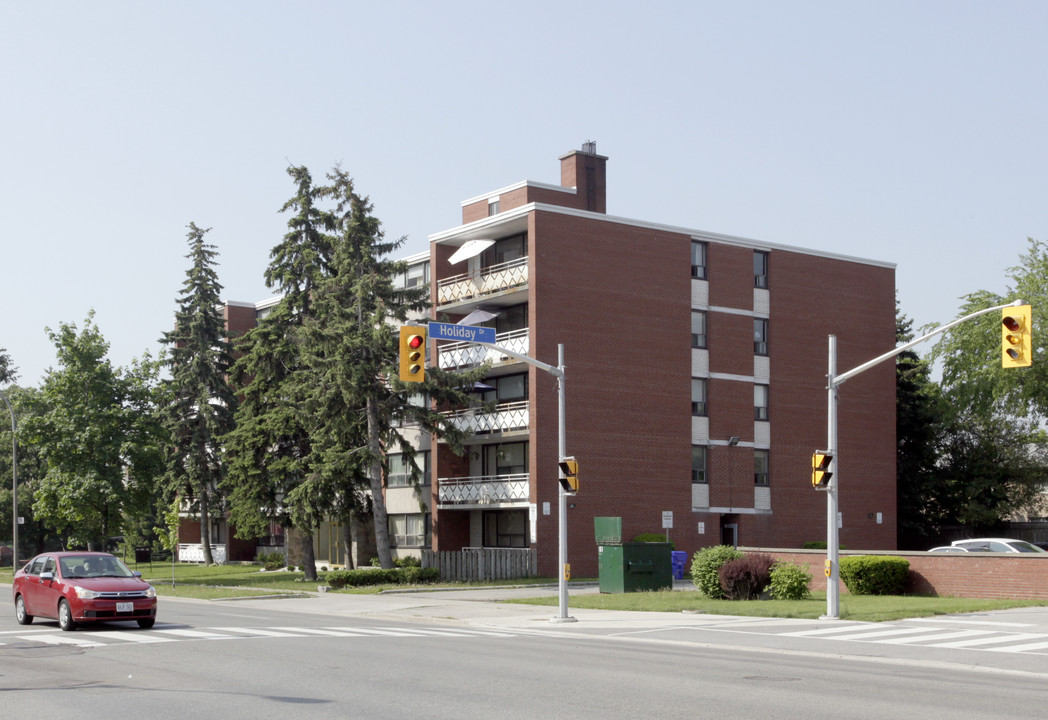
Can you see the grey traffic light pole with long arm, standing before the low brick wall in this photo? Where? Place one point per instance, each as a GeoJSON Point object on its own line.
{"type": "Point", "coordinates": [834, 382]}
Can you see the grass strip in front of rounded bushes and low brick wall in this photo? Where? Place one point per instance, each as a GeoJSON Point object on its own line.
{"type": "Point", "coordinates": [866, 608]}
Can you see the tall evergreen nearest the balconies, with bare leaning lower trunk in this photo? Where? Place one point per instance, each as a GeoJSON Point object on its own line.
{"type": "Point", "coordinates": [352, 350]}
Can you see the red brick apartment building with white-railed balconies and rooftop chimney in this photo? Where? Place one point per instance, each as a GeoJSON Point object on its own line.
{"type": "Point", "coordinates": [695, 379]}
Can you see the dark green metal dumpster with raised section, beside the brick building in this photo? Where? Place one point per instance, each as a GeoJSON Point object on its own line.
{"type": "Point", "coordinates": [630, 568]}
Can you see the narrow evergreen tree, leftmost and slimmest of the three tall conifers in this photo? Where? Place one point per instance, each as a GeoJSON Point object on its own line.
{"type": "Point", "coordinates": [203, 405]}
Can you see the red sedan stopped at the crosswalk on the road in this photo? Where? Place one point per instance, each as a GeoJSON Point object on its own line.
{"type": "Point", "coordinates": [82, 587]}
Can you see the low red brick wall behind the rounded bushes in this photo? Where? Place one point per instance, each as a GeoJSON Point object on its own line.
{"type": "Point", "coordinates": [957, 575]}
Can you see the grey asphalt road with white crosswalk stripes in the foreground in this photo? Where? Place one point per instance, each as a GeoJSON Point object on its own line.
{"type": "Point", "coordinates": [441, 656]}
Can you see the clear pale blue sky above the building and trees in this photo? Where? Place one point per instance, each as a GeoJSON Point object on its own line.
{"type": "Point", "coordinates": [911, 133]}
